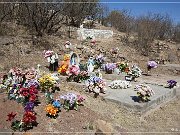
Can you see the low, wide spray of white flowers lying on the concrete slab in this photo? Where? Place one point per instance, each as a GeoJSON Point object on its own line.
{"type": "Point", "coordinates": [120, 84]}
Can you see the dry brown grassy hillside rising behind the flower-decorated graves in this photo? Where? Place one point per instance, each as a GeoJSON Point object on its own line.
{"type": "Point", "coordinates": [21, 48]}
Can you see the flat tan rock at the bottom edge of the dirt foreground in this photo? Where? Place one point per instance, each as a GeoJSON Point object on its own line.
{"type": "Point", "coordinates": [103, 128]}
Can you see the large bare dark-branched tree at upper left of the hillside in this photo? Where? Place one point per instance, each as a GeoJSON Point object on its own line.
{"type": "Point", "coordinates": [41, 17]}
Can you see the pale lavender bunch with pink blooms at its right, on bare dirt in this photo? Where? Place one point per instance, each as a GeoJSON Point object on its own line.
{"type": "Point", "coordinates": [71, 101]}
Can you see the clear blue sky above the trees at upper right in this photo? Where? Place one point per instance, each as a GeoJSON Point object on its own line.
{"type": "Point", "coordinates": [142, 7]}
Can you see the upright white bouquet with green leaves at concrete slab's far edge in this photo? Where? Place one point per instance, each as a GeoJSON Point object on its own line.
{"type": "Point", "coordinates": [135, 72]}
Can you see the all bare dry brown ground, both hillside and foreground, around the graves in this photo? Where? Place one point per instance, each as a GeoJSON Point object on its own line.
{"type": "Point", "coordinates": [97, 113]}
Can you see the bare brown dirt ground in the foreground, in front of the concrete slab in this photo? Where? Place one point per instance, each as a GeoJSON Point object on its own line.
{"type": "Point", "coordinates": [163, 119]}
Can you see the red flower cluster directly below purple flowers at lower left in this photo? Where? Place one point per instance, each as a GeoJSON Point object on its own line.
{"type": "Point", "coordinates": [29, 117]}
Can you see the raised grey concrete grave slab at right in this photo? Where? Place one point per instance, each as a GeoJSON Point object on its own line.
{"type": "Point", "coordinates": [128, 98]}
